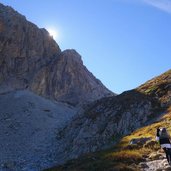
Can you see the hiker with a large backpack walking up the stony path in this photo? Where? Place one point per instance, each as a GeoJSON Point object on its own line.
{"type": "Point", "coordinates": [164, 139]}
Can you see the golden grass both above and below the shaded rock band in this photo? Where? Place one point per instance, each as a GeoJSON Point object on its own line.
{"type": "Point", "coordinates": [124, 156]}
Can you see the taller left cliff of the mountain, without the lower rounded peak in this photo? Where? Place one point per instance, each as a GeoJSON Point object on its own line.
{"type": "Point", "coordinates": [23, 47]}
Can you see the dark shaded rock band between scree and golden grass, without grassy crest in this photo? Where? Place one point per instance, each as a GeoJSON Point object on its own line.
{"type": "Point", "coordinates": [104, 122]}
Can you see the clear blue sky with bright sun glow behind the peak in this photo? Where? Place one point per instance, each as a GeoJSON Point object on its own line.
{"type": "Point", "coordinates": [123, 43]}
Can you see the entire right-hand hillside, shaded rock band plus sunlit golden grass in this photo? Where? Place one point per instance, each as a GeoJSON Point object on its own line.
{"type": "Point", "coordinates": [137, 112]}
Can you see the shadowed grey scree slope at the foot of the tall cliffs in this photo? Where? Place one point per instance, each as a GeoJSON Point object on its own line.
{"type": "Point", "coordinates": [28, 126]}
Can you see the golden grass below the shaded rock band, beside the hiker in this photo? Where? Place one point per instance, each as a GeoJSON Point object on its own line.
{"type": "Point", "coordinates": [124, 156]}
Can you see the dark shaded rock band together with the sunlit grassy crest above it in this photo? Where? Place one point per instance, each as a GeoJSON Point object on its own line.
{"type": "Point", "coordinates": [104, 122]}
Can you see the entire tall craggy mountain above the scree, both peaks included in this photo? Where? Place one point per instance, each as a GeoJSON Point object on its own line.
{"type": "Point", "coordinates": [30, 58]}
